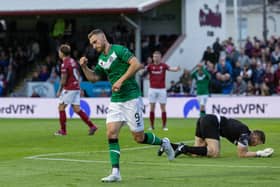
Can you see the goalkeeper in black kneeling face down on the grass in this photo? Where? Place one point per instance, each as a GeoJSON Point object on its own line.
{"type": "Point", "coordinates": [207, 138]}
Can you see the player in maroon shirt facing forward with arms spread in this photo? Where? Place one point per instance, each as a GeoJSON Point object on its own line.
{"type": "Point", "coordinates": [157, 90]}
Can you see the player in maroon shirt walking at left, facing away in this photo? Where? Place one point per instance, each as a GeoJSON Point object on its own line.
{"type": "Point", "coordinates": [69, 91]}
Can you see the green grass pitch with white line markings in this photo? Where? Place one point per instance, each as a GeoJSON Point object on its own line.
{"type": "Point", "coordinates": [30, 155]}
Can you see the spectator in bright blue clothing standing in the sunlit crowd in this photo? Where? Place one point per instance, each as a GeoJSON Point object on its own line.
{"type": "Point", "coordinates": [224, 75]}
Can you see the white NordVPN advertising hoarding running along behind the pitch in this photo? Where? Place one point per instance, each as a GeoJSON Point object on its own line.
{"type": "Point", "coordinates": [183, 107]}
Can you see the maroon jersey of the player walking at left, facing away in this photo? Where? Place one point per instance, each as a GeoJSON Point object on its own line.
{"type": "Point", "coordinates": [70, 67]}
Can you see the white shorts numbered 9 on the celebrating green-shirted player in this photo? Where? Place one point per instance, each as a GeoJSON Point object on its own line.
{"type": "Point", "coordinates": [129, 112]}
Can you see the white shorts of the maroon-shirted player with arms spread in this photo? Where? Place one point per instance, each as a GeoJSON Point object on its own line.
{"type": "Point", "coordinates": [157, 95]}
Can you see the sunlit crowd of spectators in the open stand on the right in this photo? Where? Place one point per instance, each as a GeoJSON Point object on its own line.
{"type": "Point", "coordinates": [252, 69]}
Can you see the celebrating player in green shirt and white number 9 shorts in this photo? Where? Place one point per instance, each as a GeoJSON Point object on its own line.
{"type": "Point", "coordinates": [120, 66]}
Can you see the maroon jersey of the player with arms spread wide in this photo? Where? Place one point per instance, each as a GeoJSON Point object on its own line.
{"type": "Point", "coordinates": [157, 74]}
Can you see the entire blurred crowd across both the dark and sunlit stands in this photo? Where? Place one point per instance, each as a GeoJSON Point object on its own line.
{"type": "Point", "coordinates": [252, 69]}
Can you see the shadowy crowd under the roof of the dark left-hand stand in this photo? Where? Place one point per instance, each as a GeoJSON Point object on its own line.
{"type": "Point", "coordinates": [35, 58]}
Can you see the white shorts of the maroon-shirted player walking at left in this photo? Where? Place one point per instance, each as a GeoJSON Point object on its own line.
{"type": "Point", "coordinates": [70, 97]}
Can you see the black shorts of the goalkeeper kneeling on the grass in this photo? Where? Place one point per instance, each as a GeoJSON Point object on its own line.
{"type": "Point", "coordinates": [208, 127]}
